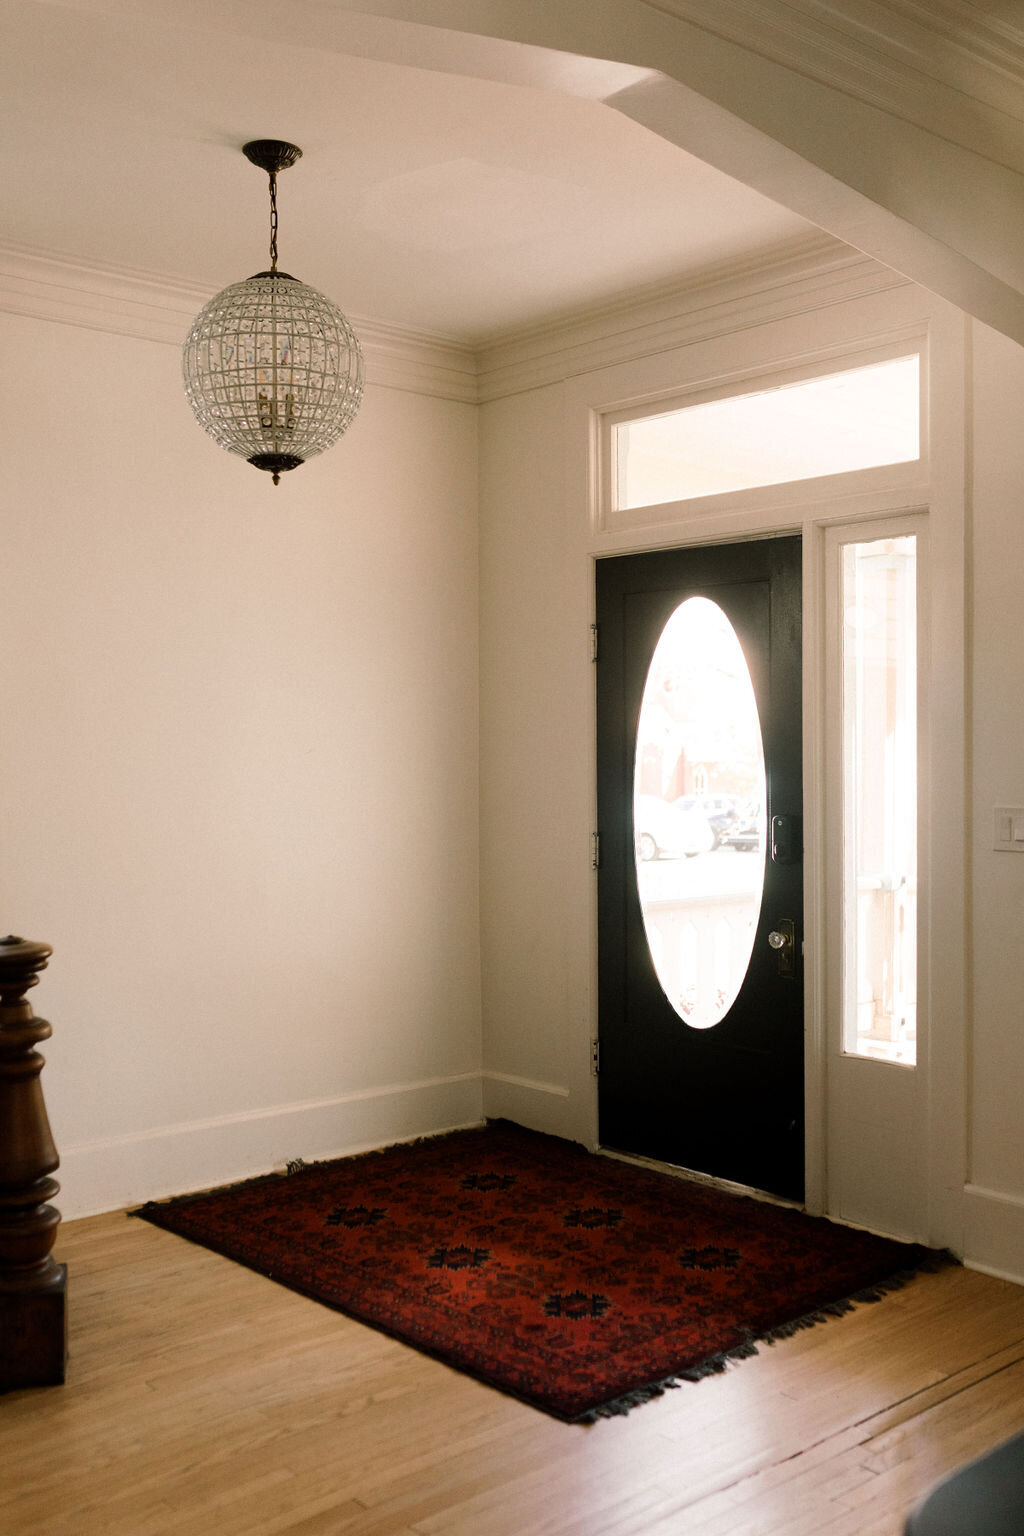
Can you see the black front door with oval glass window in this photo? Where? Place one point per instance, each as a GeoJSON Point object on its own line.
{"type": "Point", "coordinates": [725, 1099]}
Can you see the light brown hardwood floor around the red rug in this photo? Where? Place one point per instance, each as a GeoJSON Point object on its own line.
{"type": "Point", "coordinates": [206, 1400]}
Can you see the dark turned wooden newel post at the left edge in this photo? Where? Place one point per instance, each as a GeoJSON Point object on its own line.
{"type": "Point", "coordinates": [33, 1285]}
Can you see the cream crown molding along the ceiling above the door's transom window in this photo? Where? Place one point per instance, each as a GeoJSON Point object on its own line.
{"type": "Point", "coordinates": [796, 279]}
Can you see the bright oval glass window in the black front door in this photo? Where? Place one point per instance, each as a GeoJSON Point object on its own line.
{"type": "Point", "coordinates": [699, 813]}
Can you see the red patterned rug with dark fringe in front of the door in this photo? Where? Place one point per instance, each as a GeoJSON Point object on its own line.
{"type": "Point", "coordinates": [581, 1285]}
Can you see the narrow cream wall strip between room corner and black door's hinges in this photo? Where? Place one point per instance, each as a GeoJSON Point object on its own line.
{"type": "Point", "coordinates": [535, 833]}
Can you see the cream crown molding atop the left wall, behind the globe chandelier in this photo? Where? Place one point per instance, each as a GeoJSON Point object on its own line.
{"type": "Point", "coordinates": [153, 308]}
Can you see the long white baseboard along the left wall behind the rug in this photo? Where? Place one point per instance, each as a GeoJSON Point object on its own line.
{"type": "Point", "coordinates": [174, 1160]}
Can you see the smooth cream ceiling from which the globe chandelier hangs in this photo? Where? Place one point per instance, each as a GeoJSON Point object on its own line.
{"type": "Point", "coordinates": [426, 197]}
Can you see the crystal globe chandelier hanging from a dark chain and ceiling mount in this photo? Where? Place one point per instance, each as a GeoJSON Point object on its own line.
{"type": "Point", "coordinates": [273, 369]}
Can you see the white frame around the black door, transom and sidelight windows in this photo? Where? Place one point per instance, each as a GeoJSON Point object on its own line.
{"type": "Point", "coordinates": [931, 489]}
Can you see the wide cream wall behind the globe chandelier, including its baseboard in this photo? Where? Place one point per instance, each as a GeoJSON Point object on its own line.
{"type": "Point", "coordinates": [239, 770]}
